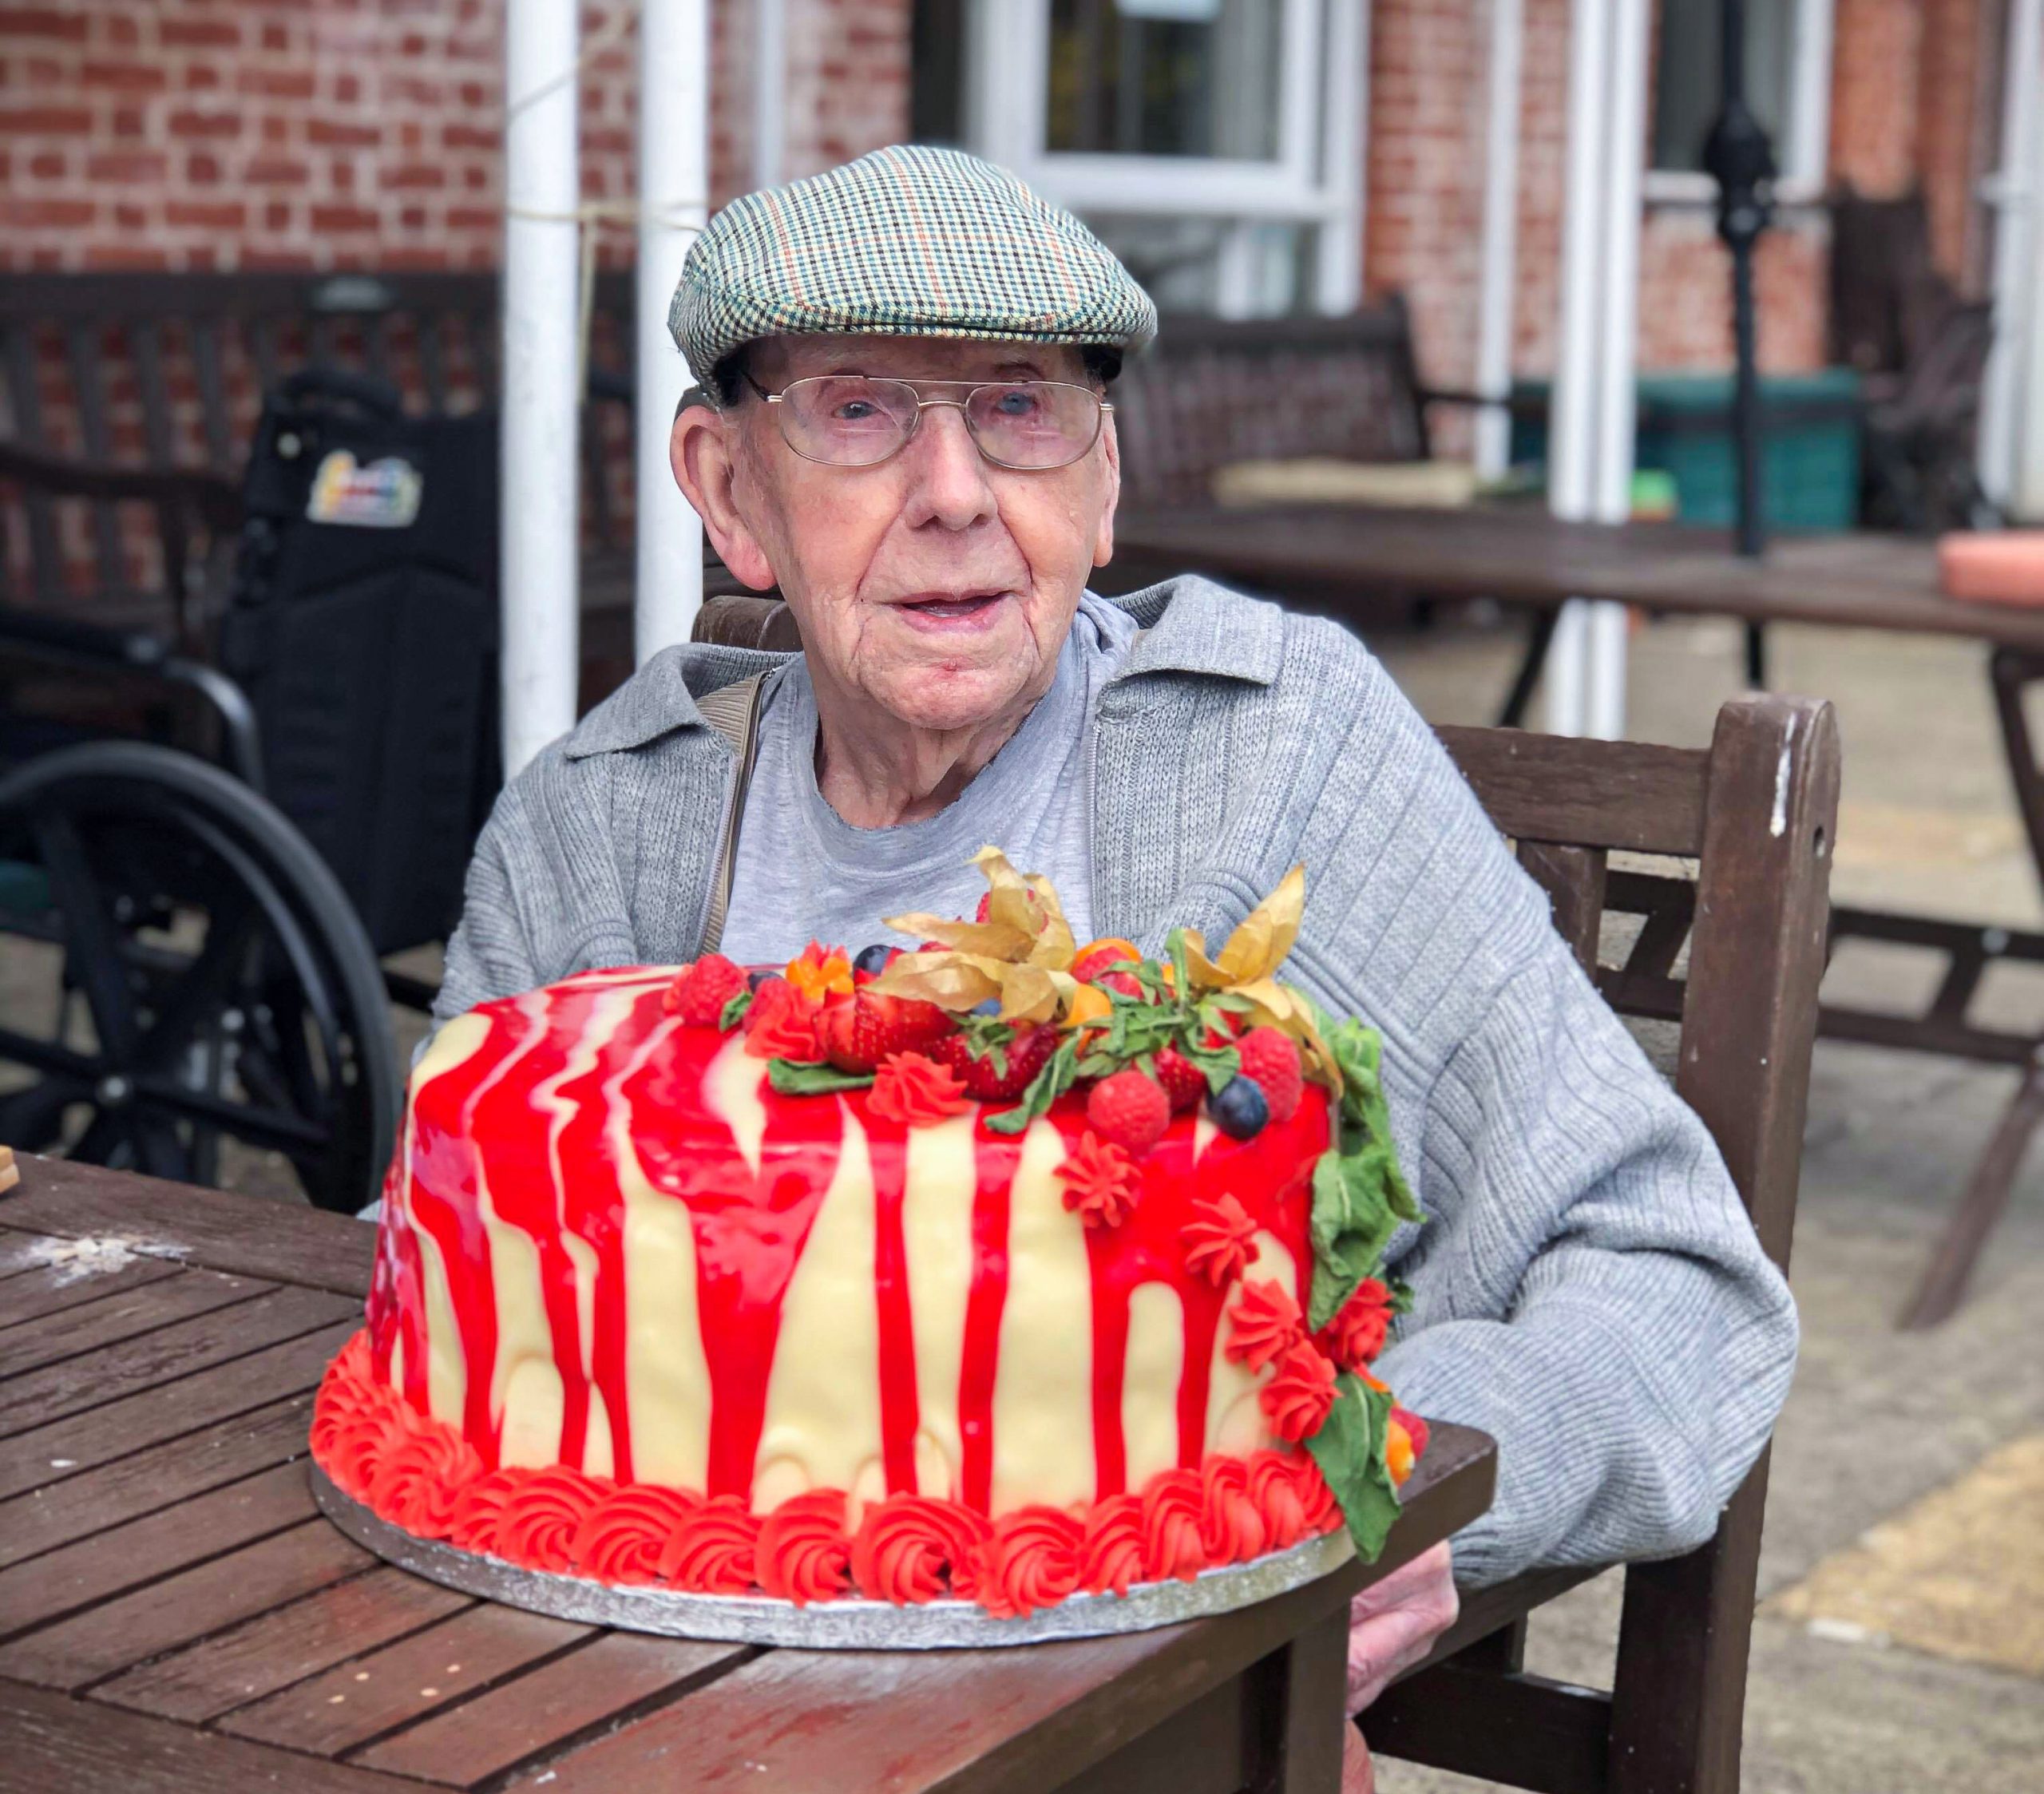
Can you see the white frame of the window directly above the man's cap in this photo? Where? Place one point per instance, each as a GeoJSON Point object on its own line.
{"type": "Point", "coordinates": [1317, 177]}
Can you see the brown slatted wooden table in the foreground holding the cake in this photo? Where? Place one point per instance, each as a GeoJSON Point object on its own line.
{"type": "Point", "coordinates": [175, 1615]}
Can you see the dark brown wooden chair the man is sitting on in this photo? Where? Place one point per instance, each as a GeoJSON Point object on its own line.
{"type": "Point", "coordinates": [1759, 814]}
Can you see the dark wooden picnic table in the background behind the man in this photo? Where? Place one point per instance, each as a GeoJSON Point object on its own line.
{"type": "Point", "coordinates": [1340, 561]}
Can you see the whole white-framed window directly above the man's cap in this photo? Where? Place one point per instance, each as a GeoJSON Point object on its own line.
{"type": "Point", "coordinates": [1213, 144]}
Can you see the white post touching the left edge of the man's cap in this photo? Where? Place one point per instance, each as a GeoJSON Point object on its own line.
{"type": "Point", "coordinates": [673, 185]}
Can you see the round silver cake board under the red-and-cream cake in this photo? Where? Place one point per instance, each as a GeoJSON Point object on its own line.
{"type": "Point", "coordinates": [839, 1625]}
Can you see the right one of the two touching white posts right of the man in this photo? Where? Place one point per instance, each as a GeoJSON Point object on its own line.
{"type": "Point", "coordinates": [1618, 342]}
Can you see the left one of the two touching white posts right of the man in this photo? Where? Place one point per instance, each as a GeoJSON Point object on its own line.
{"type": "Point", "coordinates": [1573, 408]}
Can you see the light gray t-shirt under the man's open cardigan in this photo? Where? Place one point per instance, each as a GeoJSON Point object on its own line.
{"type": "Point", "coordinates": [804, 874]}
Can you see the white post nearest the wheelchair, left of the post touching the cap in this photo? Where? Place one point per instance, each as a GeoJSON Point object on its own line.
{"type": "Point", "coordinates": [541, 406]}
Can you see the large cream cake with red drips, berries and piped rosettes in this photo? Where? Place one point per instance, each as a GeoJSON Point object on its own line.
{"type": "Point", "coordinates": [998, 1272]}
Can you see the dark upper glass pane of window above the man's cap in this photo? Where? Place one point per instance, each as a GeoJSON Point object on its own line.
{"type": "Point", "coordinates": [1166, 79]}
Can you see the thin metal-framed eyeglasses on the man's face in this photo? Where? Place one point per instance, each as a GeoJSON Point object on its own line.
{"type": "Point", "coordinates": [857, 422]}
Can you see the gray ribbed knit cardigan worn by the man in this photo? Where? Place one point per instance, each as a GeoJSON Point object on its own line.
{"type": "Point", "coordinates": [1587, 1286]}
